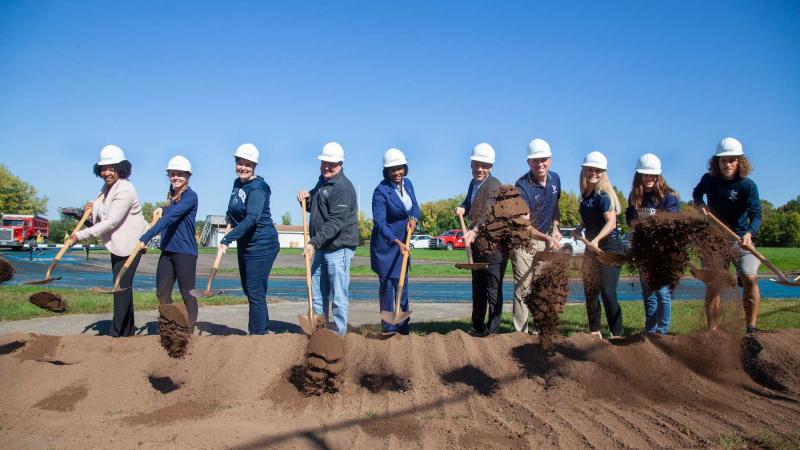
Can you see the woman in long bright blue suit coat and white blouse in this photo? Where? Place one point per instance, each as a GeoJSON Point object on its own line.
{"type": "Point", "coordinates": [394, 206]}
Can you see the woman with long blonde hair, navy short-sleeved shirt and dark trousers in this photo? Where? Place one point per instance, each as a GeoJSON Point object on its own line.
{"type": "Point", "coordinates": [599, 209]}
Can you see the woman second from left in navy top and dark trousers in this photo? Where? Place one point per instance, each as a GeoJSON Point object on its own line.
{"type": "Point", "coordinates": [178, 246]}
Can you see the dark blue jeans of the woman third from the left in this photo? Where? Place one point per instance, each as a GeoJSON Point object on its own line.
{"type": "Point", "coordinates": [254, 269]}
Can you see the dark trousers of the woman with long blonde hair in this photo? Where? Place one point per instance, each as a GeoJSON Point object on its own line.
{"type": "Point", "coordinates": [600, 282]}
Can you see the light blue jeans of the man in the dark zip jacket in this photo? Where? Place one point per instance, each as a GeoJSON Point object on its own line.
{"type": "Point", "coordinates": [330, 281]}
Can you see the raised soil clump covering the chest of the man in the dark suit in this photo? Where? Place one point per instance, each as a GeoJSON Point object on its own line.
{"type": "Point", "coordinates": [505, 227]}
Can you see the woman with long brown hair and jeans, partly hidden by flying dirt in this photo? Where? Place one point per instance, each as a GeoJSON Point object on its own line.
{"type": "Point", "coordinates": [650, 195]}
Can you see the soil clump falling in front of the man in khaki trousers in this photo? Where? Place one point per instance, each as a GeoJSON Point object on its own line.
{"type": "Point", "coordinates": [548, 294]}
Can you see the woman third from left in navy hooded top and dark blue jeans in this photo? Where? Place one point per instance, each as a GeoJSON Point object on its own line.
{"type": "Point", "coordinates": [255, 235]}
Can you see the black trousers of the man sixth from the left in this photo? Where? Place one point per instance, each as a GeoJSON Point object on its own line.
{"type": "Point", "coordinates": [487, 293]}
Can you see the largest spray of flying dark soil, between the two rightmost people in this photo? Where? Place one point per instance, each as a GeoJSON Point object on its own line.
{"type": "Point", "coordinates": [662, 246]}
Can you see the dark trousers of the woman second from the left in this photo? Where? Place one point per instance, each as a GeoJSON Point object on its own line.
{"type": "Point", "coordinates": [180, 266]}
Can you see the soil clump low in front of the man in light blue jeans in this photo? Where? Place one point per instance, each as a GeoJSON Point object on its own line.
{"type": "Point", "coordinates": [324, 364]}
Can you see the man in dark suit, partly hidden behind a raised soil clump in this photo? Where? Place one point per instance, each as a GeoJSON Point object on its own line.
{"type": "Point", "coordinates": [487, 285]}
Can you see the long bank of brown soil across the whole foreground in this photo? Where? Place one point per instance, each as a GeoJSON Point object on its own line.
{"type": "Point", "coordinates": [502, 391]}
